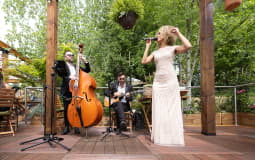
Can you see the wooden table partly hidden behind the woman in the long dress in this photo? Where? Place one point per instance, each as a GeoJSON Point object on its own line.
{"type": "Point", "coordinates": [146, 107]}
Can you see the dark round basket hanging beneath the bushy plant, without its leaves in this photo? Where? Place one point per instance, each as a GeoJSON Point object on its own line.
{"type": "Point", "coordinates": [128, 20]}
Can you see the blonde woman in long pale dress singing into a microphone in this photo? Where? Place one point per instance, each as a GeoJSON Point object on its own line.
{"type": "Point", "coordinates": [167, 122]}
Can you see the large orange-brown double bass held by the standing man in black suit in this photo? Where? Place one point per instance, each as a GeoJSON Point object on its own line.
{"type": "Point", "coordinates": [84, 110]}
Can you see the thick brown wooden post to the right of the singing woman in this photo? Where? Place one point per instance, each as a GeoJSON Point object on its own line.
{"type": "Point", "coordinates": [207, 67]}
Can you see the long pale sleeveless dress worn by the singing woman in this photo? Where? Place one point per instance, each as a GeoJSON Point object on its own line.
{"type": "Point", "coordinates": [167, 122]}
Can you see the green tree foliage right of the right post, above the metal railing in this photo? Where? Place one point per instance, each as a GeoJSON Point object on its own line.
{"type": "Point", "coordinates": [234, 45]}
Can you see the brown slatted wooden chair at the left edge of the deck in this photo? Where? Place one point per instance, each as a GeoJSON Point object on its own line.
{"type": "Point", "coordinates": [7, 97]}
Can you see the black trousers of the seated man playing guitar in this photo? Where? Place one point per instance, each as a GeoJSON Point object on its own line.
{"type": "Point", "coordinates": [120, 108]}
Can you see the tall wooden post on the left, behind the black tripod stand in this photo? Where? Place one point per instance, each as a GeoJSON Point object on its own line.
{"type": "Point", "coordinates": [52, 18]}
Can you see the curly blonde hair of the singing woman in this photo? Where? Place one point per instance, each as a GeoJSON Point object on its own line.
{"type": "Point", "coordinates": [168, 36]}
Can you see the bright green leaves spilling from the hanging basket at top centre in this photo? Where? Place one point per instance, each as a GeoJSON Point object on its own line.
{"type": "Point", "coordinates": [120, 8]}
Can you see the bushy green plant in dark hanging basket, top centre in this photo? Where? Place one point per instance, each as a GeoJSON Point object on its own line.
{"type": "Point", "coordinates": [126, 12]}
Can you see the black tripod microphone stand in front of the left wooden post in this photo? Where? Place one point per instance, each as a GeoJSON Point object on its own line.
{"type": "Point", "coordinates": [48, 138]}
